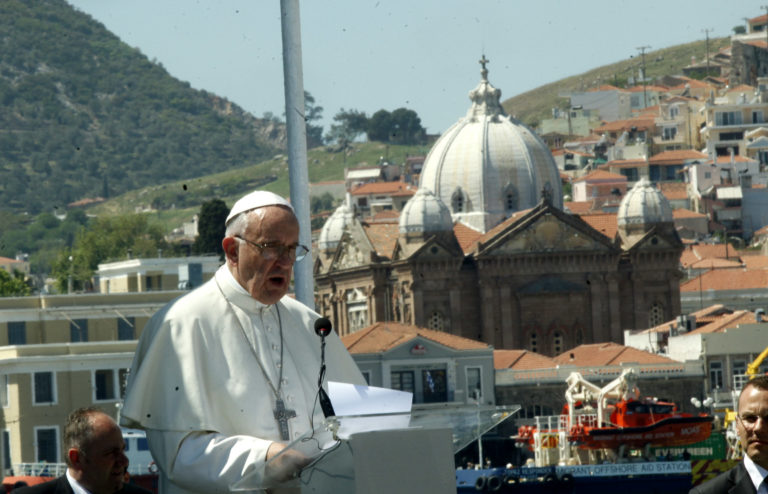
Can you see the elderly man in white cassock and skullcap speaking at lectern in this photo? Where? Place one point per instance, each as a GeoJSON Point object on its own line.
{"type": "Point", "coordinates": [226, 375]}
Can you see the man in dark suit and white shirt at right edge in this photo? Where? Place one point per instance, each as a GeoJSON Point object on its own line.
{"type": "Point", "coordinates": [752, 427]}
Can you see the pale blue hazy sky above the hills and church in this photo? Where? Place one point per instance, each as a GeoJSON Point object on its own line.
{"type": "Point", "coordinates": [419, 54]}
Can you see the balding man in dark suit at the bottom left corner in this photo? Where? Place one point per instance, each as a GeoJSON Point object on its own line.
{"type": "Point", "coordinates": [95, 454]}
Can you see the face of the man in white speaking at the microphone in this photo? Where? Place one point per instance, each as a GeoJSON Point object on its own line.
{"type": "Point", "coordinates": [267, 280]}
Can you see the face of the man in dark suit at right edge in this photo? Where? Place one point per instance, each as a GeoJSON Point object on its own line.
{"type": "Point", "coordinates": [752, 425]}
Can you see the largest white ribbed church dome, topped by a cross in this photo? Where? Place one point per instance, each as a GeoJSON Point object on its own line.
{"type": "Point", "coordinates": [489, 165]}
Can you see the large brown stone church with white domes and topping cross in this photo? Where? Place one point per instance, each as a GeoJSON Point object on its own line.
{"type": "Point", "coordinates": [484, 249]}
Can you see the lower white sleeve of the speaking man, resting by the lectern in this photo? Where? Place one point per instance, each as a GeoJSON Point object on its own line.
{"type": "Point", "coordinates": [208, 461]}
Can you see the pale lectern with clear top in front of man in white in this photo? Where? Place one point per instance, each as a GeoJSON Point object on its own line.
{"type": "Point", "coordinates": [382, 454]}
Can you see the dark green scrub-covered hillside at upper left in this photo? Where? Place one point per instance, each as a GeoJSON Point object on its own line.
{"type": "Point", "coordinates": [84, 115]}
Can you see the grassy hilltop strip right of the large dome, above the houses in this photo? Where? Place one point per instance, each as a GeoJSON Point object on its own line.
{"type": "Point", "coordinates": [533, 106]}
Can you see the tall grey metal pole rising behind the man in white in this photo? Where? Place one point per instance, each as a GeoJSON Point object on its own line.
{"type": "Point", "coordinates": [297, 143]}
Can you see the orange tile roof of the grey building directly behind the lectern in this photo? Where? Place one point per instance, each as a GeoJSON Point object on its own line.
{"type": "Point", "coordinates": [384, 336]}
